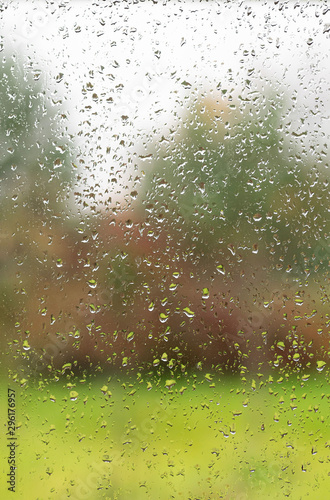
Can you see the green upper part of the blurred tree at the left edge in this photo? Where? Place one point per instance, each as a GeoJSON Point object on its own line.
{"type": "Point", "coordinates": [35, 145]}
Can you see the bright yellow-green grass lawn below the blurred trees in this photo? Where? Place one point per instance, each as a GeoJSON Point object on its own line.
{"type": "Point", "coordinates": [221, 439]}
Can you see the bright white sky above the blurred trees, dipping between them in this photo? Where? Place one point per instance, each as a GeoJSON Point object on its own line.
{"type": "Point", "coordinates": [114, 47]}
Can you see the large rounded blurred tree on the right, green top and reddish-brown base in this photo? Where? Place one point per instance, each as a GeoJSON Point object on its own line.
{"type": "Point", "coordinates": [227, 194]}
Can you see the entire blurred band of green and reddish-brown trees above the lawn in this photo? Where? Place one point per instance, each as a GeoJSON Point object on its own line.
{"type": "Point", "coordinates": [183, 277]}
